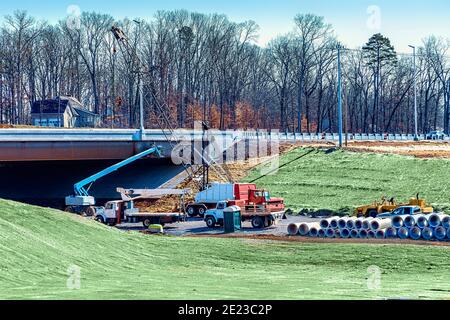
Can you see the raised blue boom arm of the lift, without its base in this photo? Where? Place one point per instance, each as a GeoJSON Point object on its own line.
{"type": "Point", "coordinates": [81, 189]}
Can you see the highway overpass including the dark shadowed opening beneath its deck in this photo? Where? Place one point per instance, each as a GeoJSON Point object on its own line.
{"type": "Point", "coordinates": [40, 166]}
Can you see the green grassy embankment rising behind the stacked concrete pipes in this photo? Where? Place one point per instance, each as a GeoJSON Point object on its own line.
{"type": "Point", "coordinates": [341, 179]}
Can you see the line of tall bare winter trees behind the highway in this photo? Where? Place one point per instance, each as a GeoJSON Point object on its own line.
{"type": "Point", "coordinates": [206, 67]}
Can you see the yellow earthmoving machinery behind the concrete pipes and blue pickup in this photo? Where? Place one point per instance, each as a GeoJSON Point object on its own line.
{"type": "Point", "coordinates": [388, 205]}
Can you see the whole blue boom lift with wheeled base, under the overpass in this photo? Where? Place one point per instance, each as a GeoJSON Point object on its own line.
{"type": "Point", "coordinates": [81, 202]}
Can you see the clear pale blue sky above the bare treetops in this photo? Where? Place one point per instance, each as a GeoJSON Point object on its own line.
{"type": "Point", "coordinates": [405, 22]}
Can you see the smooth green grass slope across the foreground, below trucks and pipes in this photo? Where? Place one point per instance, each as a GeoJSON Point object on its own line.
{"type": "Point", "coordinates": [38, 246]}
